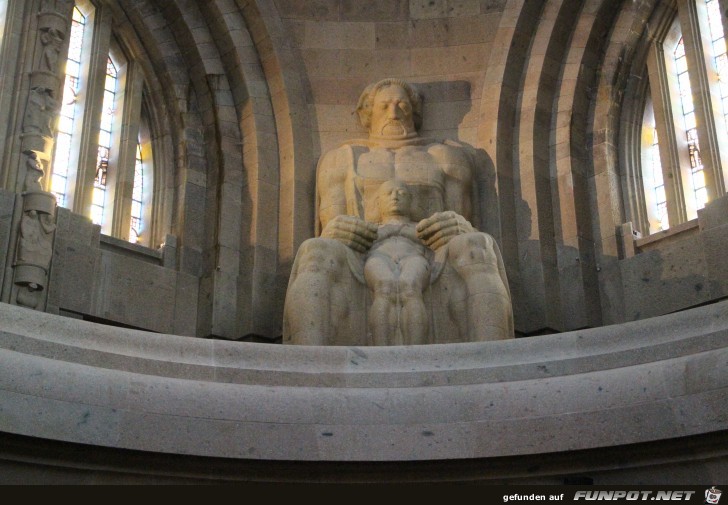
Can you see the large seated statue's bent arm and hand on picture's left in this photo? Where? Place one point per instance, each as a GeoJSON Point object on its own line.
{"type": "Point", "coordinates": [335, 222]}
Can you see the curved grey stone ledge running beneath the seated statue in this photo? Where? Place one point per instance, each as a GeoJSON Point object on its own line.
{"type": "Point", "coordinates": [655, 379]}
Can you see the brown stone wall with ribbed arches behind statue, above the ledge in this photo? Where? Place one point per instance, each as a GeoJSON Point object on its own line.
{"type": "Point", "coordinates": [249, 94]}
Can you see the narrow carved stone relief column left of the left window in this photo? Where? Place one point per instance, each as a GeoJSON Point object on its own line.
{"type": "Point", "coordinates": [36, 219]}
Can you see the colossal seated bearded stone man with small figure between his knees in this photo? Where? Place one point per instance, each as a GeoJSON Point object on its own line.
{"type": "Point", "coordinates": [397, 261]}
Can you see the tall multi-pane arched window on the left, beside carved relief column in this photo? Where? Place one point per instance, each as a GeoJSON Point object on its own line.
{"type": "Point", "coordinates": [97, 154]}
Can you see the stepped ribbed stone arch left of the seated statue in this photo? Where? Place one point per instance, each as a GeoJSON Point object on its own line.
{"type": "Point", "coordinates": [227, 178]}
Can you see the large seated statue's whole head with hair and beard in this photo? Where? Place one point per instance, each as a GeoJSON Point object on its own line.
{"type": "Point", "coordinates": [390, 108]}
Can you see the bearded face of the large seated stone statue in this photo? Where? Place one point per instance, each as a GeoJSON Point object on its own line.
{"type": "Point", "coordinates": [391, 113]}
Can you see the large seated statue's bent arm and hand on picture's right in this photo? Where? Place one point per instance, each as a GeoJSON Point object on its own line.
{"type": "Point", "coordinates": [438, 229]}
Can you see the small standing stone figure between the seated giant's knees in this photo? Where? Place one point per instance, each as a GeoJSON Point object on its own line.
{"type": "Point", "coordinates": [397, 271]}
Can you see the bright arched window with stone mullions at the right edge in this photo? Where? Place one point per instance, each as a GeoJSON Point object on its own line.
{"type": "Point", "coordinates": [685, 108]}
